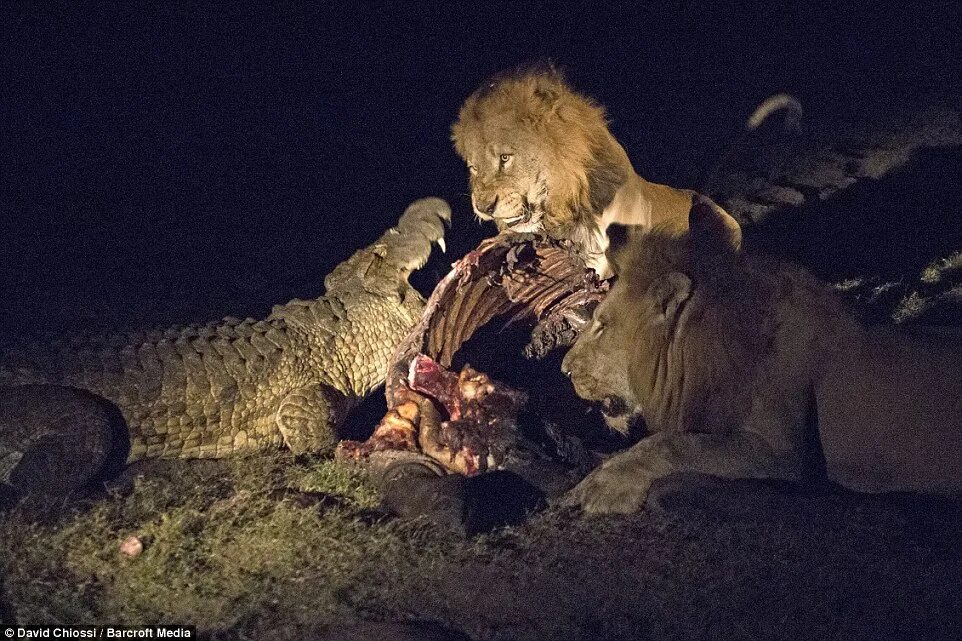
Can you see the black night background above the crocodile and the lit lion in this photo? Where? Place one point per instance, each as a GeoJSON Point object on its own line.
{"type": "Point", "coordinates": [170, 163]}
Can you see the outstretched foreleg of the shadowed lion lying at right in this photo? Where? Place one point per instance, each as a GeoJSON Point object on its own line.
{"type": "Point", "coordinates": [621, 484]}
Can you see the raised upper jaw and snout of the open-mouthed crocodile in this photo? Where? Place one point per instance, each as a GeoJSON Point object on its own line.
{"type": "Point", "coordinates": [398, 252]}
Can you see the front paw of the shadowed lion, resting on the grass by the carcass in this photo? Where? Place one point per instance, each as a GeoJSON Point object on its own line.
{"type": "Point", "coordinates": [611, 489]}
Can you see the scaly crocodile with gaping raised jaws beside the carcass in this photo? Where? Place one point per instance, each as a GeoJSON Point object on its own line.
{"type": "Point", "coordinates": [224, 388]}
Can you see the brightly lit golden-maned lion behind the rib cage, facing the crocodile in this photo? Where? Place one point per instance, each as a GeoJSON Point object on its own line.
{"type": "Point", "coordinates": [541, 159]}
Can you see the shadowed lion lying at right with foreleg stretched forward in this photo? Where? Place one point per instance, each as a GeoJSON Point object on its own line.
{"type": "Point", "coordinates": [740, 365]}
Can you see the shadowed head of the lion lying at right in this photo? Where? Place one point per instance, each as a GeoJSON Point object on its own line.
{"type": "Point", "coordinates": [660, 344]}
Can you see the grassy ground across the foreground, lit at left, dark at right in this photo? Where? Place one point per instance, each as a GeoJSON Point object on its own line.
{"type": "Point", "coordinates": [226, 551]}
